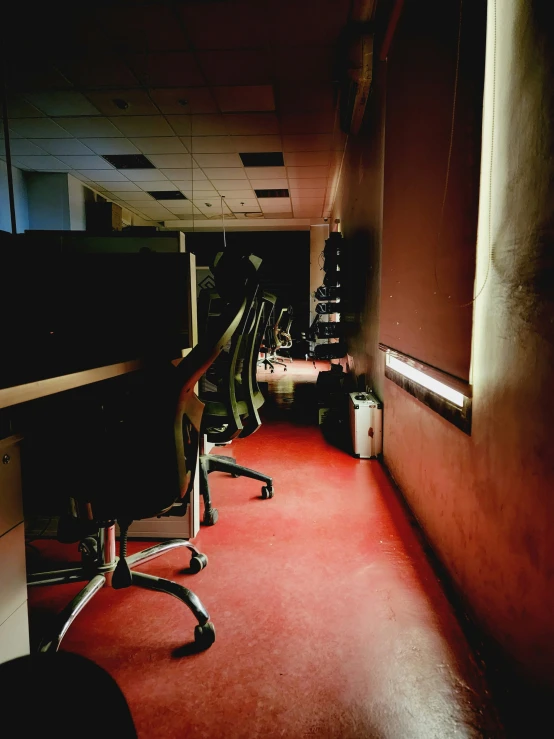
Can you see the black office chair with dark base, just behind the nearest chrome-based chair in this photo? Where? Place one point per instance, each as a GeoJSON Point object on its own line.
{"type": "Point", "coordinates": [232, 410]}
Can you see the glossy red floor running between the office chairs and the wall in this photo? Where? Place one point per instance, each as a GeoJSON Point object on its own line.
{"type": "Point", "coordinates": [330, 621]}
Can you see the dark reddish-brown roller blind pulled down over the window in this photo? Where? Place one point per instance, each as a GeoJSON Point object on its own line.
{"type": "Point", "coordinates": [429, 233]}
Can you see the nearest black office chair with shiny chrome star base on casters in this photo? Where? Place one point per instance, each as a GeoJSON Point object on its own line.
{"type": "Point", "coordinates": [143, 465]}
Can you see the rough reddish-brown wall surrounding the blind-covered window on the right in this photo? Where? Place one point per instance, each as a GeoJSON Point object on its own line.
{"type": "Point", "coordinates": [486, 502]}
